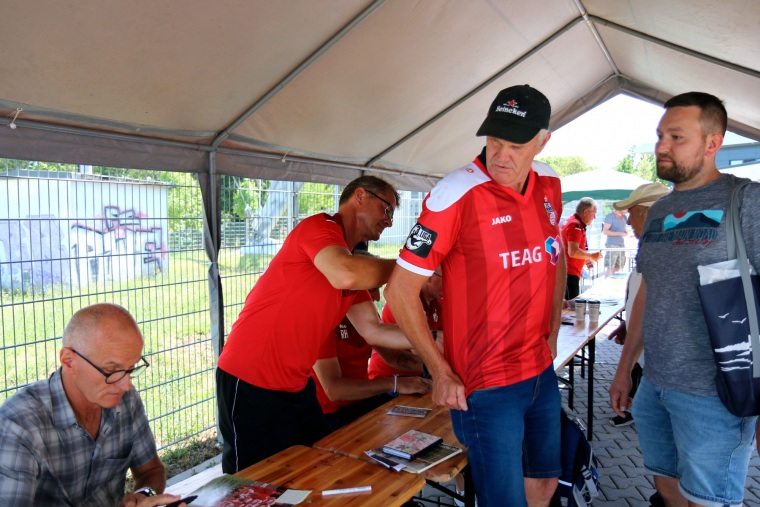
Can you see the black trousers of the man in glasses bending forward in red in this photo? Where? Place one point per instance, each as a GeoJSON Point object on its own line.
{"type": "Point", "coordinates": [256, 423]}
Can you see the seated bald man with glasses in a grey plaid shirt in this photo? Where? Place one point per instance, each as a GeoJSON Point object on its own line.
{"type": "Point", "coordinates": [69, 439]}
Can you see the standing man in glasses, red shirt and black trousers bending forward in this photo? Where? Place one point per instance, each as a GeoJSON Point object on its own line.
{"type": "Point", "coordinates": [266, 396]}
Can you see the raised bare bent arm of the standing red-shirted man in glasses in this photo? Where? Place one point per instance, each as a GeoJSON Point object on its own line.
{"type": "Point", "coordinates": [355, 272]}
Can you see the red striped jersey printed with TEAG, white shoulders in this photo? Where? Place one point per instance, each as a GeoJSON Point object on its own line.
{"type": "Point", "coordinates": [499, 251]}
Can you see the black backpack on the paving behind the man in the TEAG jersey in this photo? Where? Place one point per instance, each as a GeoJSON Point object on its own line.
{"type": "Point", "coordinates": [579, 482]}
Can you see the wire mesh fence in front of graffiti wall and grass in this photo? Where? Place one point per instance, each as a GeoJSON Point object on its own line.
{"type": "Point", "coordinates": [71, 236]}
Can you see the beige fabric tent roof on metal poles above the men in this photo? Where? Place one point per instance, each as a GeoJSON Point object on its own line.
{"type": "Point", "coordinates": [322, 91]}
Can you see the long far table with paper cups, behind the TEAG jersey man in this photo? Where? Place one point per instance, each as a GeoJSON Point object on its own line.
{"type": "Point", "coordinates": [573, 338]}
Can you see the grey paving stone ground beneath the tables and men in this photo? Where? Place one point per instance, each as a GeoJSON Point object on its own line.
{"type": "Point", "coordinates": [624, 481]}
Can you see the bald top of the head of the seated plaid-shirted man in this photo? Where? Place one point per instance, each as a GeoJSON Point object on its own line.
{"type": "Point", "coordinates": [100, 321]}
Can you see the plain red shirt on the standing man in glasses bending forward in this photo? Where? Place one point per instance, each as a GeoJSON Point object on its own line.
{"type": "Point", "coordinates": [290, 311]}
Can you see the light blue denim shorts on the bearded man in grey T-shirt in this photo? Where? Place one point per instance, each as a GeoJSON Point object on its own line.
{"type": "Point", "coordinates": [696, 440]}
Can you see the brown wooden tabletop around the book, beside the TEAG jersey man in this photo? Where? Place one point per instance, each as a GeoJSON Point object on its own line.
{"type": "Point", "coordinates": [377, 428]}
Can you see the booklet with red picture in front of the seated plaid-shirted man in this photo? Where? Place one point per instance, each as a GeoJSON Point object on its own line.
{"type": "Point", "coordinates": [233, 491]}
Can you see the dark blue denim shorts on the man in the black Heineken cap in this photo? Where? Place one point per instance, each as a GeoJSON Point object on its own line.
{"type": "Point", "coordinates": [511, 432]}
